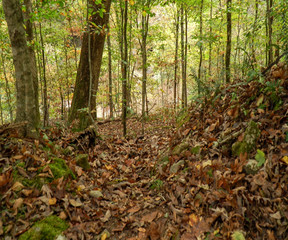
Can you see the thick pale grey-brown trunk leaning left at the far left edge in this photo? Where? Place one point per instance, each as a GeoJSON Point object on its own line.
{"type": "Point", "coordinates": [27, 105]}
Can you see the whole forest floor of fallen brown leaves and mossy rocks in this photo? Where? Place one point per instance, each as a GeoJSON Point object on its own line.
{"type": "Point", "coordinates": [217, 171]}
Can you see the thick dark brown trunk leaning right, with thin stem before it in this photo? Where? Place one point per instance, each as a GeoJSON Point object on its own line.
{"type": "Point", "coordinates": [82, 87]}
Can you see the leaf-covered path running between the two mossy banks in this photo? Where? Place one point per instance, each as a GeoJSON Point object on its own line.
{"type": "Point", "coordinates": [133, 205]}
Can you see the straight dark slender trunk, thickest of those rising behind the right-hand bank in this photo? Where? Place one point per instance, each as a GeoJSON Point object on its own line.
{"type": "Point", "coordinates": [228, 45]}
